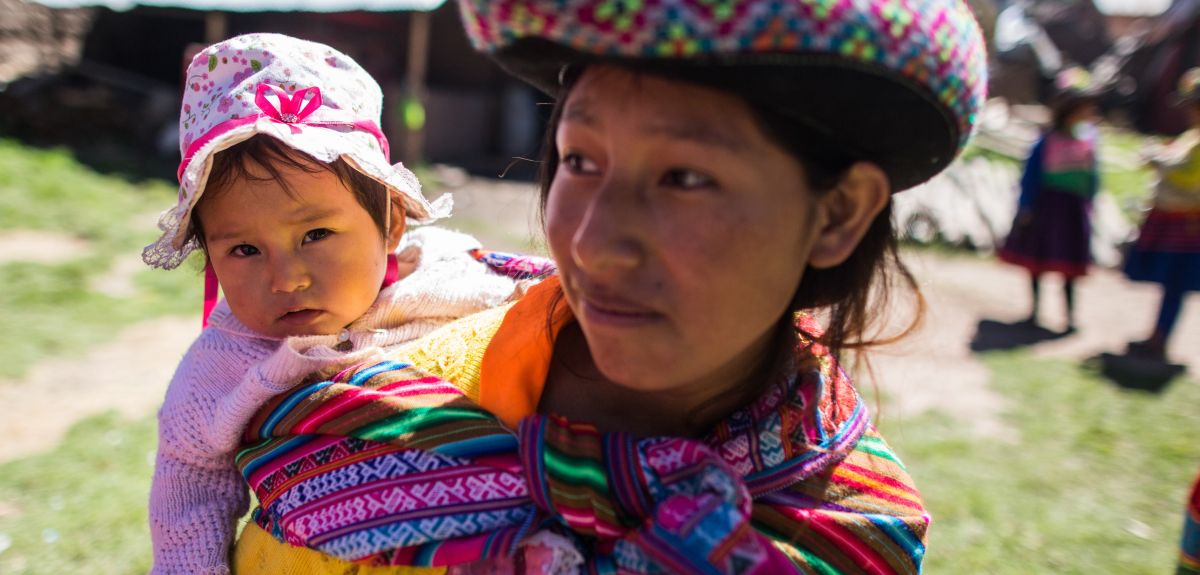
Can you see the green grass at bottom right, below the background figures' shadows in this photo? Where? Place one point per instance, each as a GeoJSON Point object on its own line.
{"type": "Point", "coordinates": [1093, 466]}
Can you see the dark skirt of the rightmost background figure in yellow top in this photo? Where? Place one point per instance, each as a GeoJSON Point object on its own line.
{"type": "Point", "coordinates": [1168, 250]}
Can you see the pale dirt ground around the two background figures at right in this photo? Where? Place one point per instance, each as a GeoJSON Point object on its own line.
{"type": "Point", "coordinates": [980, 303]}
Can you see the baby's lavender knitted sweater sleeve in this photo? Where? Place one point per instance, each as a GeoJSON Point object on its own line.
{"type": "Point", "coordinates": [197, 493]}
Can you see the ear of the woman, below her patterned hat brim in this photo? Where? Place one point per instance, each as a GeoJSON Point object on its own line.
{"type": "Point", "coordinates": [848, 213]}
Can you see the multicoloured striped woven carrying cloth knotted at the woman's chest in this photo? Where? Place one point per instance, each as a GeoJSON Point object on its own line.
{"type": "Point", "coordinates": [389, 465]}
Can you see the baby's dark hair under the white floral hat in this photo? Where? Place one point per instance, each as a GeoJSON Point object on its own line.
{"type": "Point", "coordinates": [231, 165]}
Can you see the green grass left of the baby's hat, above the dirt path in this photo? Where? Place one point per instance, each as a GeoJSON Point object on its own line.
{"type": "Point", "coordinates": [51, 309]}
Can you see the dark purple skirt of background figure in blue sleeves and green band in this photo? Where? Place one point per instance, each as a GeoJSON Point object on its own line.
{"type": "Point", "coordinates": [1058, 238]}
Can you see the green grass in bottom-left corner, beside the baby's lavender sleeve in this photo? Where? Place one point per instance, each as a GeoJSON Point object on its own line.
{"type": "Point", "coordinates": [82, 507]}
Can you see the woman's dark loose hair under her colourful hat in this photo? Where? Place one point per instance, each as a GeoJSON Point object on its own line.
{"type": "Point", "coordinates": [850, 296]}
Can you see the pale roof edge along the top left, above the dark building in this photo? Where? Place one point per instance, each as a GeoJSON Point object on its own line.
{"type": "Point", "coordinates": [259, 5]}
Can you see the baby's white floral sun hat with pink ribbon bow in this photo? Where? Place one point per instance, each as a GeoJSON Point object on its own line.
{"type": "Point", "coordinates": [310, 97]}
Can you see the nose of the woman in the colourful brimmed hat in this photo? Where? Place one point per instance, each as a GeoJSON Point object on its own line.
{"type": "Point", "coordinates": [608, 238]}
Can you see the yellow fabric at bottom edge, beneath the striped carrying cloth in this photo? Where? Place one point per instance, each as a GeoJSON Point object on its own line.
{"type": "Point", "coordinates": [259, 553]}
